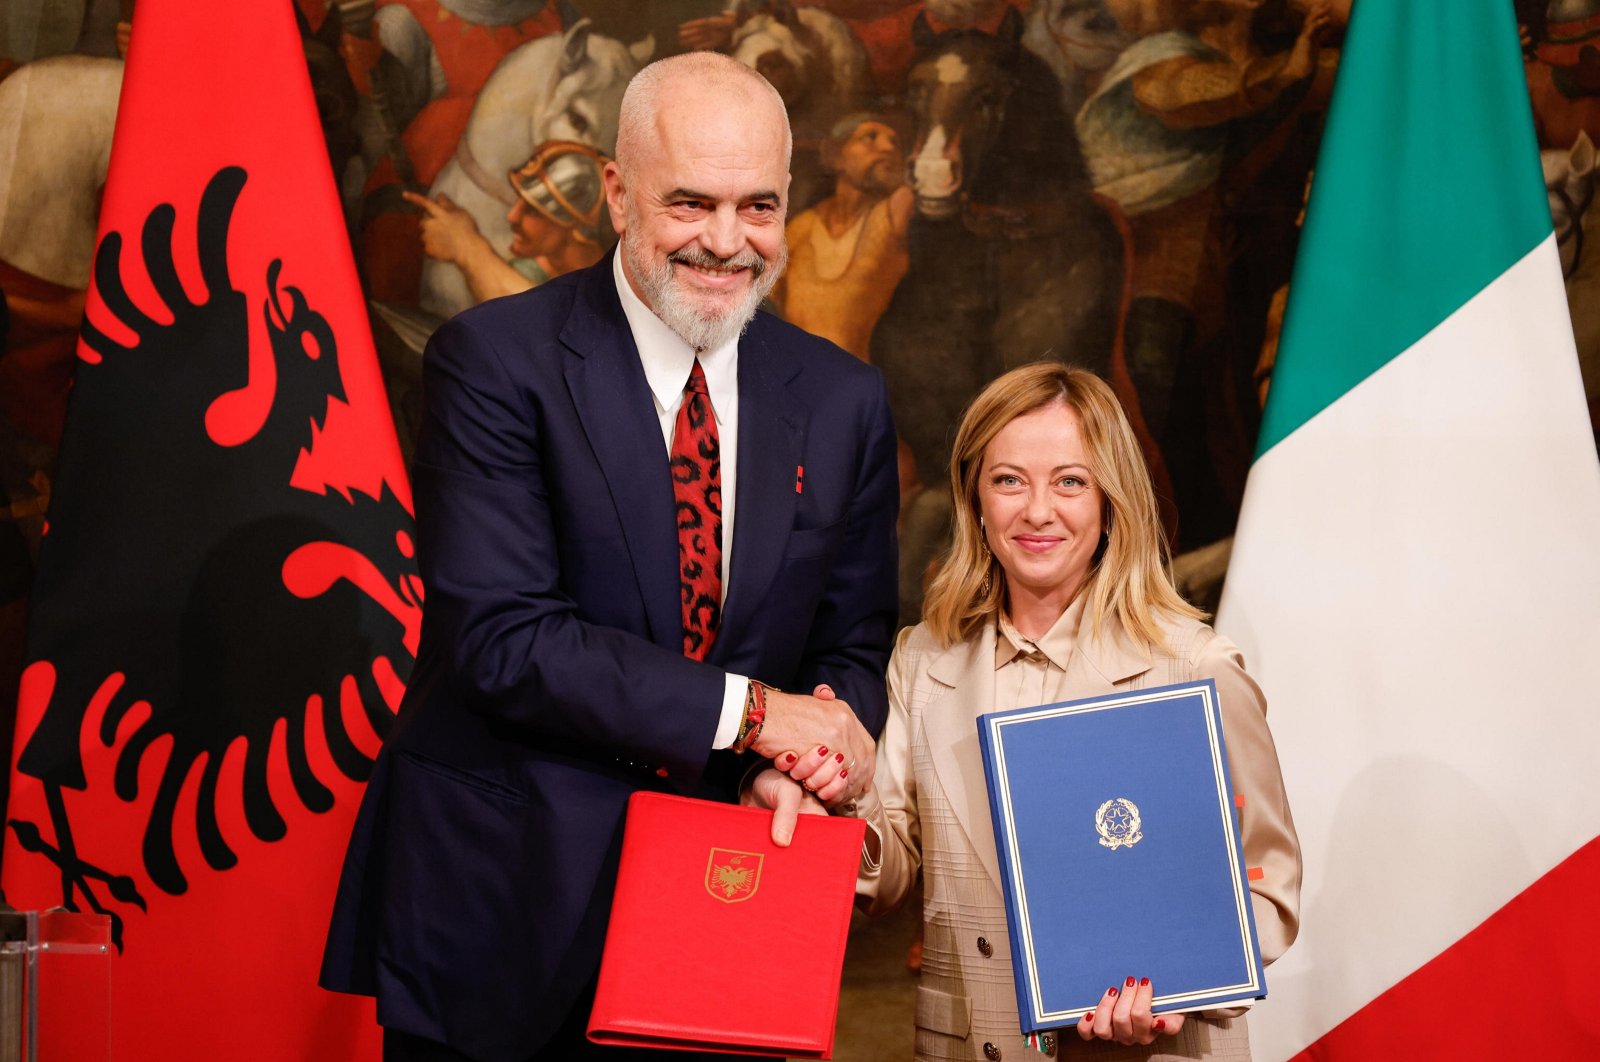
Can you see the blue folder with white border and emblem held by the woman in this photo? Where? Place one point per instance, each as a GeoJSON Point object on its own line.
{"type": "Point", "coordinates": [1121, 853]}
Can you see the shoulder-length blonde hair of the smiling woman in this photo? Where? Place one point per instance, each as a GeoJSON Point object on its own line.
{"type": "Point", "coordinates": [1129, 580]}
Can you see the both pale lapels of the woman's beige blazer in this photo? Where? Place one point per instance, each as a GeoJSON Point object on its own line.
{"type": "Point", "coordinates": [966, 676]}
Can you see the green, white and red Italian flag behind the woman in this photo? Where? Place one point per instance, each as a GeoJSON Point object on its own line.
{"type": "Point", "coordinates": [1417, 573]}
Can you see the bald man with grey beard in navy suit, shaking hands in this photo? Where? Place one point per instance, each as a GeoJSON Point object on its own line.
{"type": "Point", "coordinates": [644, 511]}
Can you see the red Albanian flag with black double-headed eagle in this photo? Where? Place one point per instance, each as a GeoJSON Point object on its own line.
{"type": "Point", "coordinates": [226, 607]}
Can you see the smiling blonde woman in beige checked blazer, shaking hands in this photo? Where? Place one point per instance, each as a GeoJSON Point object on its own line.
{"type": "Point", "coordinates": [1055, 589]}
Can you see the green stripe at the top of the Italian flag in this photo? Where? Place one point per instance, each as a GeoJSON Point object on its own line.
{"type": "Point", "coordinates": [1428, 188]}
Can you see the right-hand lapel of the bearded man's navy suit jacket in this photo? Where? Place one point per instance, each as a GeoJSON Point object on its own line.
{"type": "Point", "coordinates": [770, 450]}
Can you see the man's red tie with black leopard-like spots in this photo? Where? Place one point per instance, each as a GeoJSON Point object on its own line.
{"type": "Point", "coordinates": [697, 487]}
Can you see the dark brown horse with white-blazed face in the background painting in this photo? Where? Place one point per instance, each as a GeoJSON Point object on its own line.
{"type": "Point", "coordinates": [1012, 258]}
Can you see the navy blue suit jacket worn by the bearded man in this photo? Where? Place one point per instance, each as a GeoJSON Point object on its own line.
{"type": "Point", "coordinates": [551, 681]}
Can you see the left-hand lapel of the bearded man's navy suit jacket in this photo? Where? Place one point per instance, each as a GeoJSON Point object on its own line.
{"type": "Point", "coordinates": [618, 415]}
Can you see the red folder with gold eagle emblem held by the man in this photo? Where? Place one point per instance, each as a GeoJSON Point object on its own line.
{"type": "Point", "coordinates": [722, 941]}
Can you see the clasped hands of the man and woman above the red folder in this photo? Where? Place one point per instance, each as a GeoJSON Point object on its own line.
{"type": "Point", "coordinates": [822, 757]}
